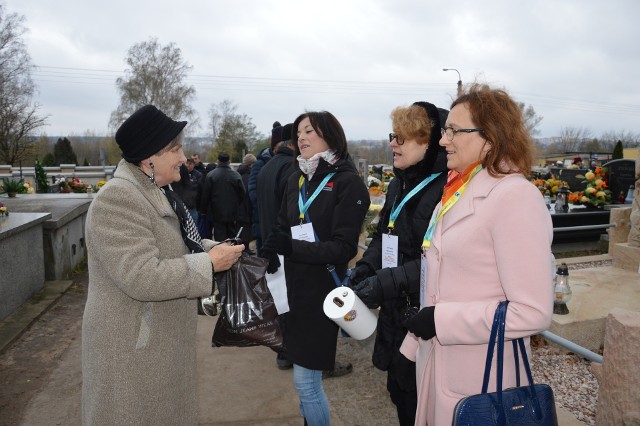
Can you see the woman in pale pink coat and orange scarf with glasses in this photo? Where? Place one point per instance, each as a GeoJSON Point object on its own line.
{"type": "Point", "coordinates": [489, 240]}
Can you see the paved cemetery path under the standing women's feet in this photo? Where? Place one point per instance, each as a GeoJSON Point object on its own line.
{"type": "Point", "coordinates": [237, 386]}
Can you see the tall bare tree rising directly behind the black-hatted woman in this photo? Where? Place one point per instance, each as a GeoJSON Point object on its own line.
{"type": "Point", "coordinates": [156, 75]}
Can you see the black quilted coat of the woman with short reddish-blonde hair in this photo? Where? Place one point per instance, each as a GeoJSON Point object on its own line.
{"type": "Point", "coordinates": [410, 227]}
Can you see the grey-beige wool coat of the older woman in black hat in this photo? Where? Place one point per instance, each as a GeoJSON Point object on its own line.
{"type": "Point", "coordinates": [139, 325]}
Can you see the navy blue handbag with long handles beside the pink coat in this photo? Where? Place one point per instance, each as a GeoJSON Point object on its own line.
{"type": "Point", "coordinates": [523, 405]}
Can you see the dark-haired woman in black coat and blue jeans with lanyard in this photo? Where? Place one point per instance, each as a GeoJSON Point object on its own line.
{"type": "Point", "coordinates": [334, 201]}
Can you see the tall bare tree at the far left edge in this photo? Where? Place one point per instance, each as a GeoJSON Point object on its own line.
{"type": "Point", "coordinates": [18, 114]}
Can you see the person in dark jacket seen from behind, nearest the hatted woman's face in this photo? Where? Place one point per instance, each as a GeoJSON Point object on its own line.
{"type": "Point", "coordinates": [221, 197]}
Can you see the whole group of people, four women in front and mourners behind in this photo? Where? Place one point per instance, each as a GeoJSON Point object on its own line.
{"type": "Point", "coordinates": [450, 244]}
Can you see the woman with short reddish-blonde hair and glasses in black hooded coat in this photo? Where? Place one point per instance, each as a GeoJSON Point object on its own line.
{"type": "Point", "coordinates": [392, 282]}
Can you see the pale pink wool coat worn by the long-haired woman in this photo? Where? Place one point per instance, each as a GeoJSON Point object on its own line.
{"type": "Point", "coordinates": [494, 244]}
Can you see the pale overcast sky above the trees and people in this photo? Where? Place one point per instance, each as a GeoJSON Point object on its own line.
{"type": "Point", "coordinates": [577, 62]}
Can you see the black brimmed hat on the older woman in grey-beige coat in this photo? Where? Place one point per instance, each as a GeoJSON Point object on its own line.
{"type": "Point", "coordinates": [145, 132]}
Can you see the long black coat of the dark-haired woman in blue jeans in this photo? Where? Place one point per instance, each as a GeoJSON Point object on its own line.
{"type": "Point", "coordinates": [336, 215]}
